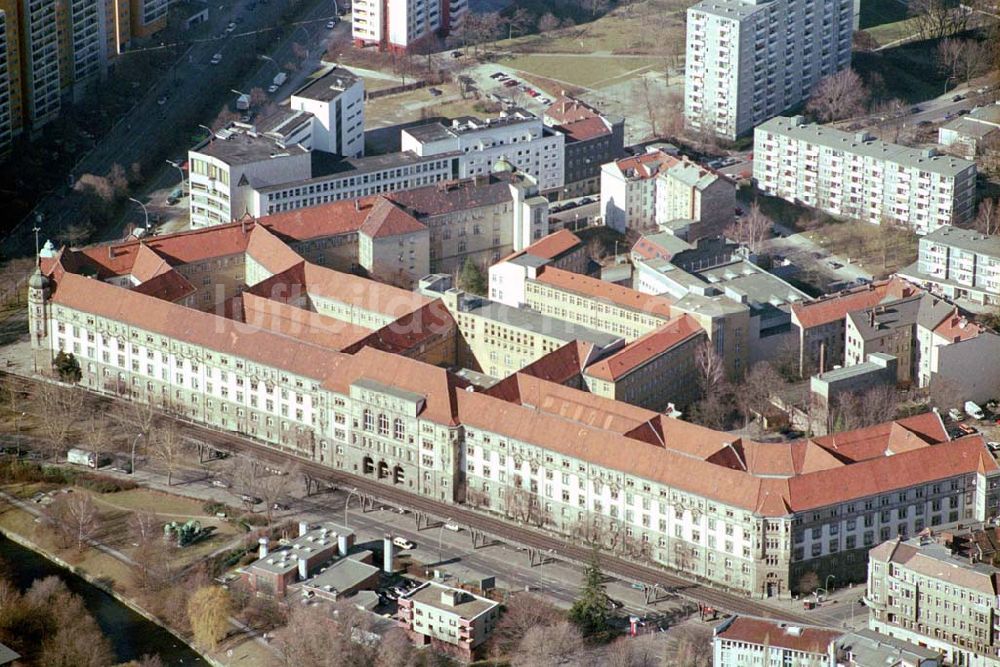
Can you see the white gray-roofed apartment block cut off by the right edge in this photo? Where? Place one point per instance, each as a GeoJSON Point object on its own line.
{"type": "Point", "coordinates": [960, 264]}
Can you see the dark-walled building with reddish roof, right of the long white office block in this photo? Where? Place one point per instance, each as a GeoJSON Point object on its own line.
{"type": "Point", "coordinates": [591, 141]}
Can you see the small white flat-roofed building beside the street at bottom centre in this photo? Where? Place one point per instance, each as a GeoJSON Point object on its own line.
{"type": "Point", "coordinates": [447, 618]}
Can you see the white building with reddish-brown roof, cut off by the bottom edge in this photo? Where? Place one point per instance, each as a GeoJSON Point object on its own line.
{"type": "Point", "coordinates": [741, 641]}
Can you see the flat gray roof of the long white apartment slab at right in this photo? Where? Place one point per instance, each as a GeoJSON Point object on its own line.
{"type": "Point", "coordinates": [822, 135]}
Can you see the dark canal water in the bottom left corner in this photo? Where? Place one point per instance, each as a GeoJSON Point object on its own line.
{"type": "Point", "coordinates": [131, 635]}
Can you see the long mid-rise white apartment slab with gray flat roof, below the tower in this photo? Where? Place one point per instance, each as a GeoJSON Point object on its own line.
{"type": "Point", "coordinates": [857, 176]}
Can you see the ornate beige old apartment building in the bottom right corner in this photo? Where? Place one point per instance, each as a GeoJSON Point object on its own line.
{"type": "Point", "coordinates": [920, 592]}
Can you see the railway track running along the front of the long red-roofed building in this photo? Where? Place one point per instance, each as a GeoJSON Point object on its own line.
{"type": "Point", "coordinates": [497, 528]}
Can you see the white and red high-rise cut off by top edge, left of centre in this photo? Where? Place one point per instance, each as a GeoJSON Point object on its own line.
{"type": "Point", "coordinates": [398, 25]}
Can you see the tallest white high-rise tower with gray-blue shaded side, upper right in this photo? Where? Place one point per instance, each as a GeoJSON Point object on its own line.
{"type": "Point", "coordinates": [749, 60]}
